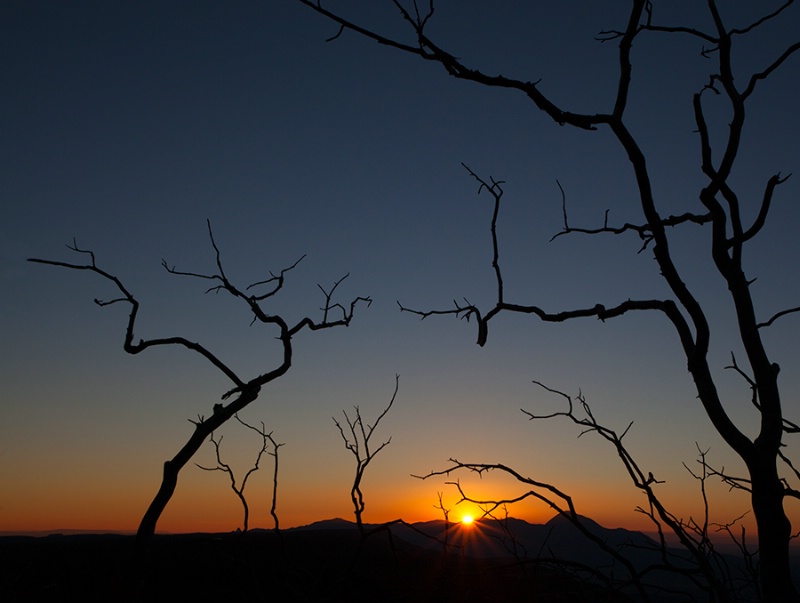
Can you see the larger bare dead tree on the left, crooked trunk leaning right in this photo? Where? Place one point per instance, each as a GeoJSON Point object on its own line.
{"type": "Point", "coordinates": [244, 391]}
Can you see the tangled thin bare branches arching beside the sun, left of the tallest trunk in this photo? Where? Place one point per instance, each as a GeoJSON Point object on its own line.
{"type": "Point", "coordinates": [704, 568]}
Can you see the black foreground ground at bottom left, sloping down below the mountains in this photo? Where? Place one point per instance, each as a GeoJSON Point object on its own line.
{"type": "Point", "coordinates": [308, 565]}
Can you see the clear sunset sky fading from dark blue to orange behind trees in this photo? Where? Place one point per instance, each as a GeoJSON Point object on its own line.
{"type": "Point", "coordinates": [125, 126]}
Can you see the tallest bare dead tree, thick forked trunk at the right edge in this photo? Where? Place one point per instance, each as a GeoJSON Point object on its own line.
{"type": "Point", "coordinates": [733, 222]}
